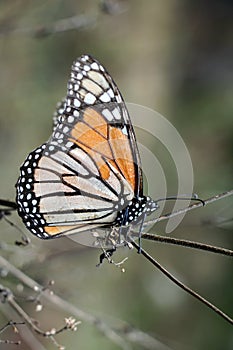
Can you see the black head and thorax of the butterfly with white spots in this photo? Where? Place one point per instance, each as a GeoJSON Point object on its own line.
{"type": "Point", "coordinates": [135, 209]}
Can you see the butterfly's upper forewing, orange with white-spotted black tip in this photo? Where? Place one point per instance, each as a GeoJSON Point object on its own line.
{"type": "Point", "coordinates": [101, 119]}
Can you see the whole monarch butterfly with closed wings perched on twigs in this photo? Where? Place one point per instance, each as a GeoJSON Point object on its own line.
{"type": "Point", "coordinates": [88, 175]}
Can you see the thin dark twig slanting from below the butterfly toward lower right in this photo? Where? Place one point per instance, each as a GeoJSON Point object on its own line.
{"type": "Point", "coordinates": [181, 284]}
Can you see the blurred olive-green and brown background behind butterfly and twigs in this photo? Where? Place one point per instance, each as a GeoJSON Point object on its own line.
{"type": "Point", "coordinates": [175, 57]}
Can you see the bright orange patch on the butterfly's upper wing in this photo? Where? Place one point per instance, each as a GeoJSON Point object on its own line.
{"type": "Point", "coordinates": [104, 141]}
